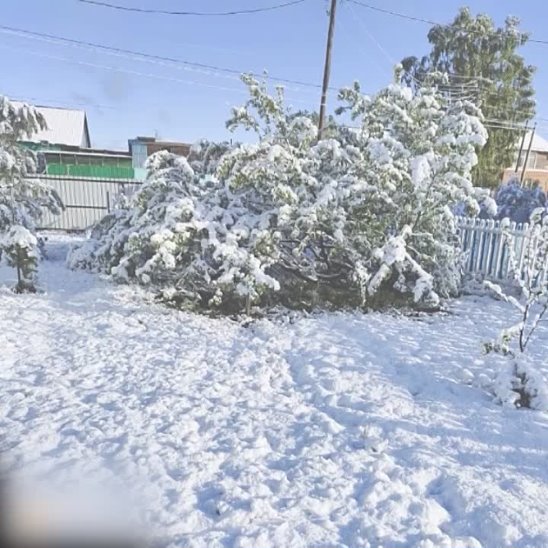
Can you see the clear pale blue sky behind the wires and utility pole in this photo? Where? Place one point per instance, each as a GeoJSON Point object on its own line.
{"type": "Point", "coordinates": [125, 97]}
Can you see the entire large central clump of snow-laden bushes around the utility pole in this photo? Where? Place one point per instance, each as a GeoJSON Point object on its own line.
{"type": "Point", "coordinates": [355, 218]}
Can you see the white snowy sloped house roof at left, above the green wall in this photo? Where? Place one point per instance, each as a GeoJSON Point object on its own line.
{"type": "Point", "coordinates": [65, 127]}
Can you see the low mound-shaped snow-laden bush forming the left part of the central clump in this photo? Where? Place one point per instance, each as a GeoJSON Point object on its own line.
{"type": "Point", "coordinates": [184, 234]}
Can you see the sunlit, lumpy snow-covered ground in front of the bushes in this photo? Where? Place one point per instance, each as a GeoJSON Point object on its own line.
{"type": "Point", "coordinates": [325, 431]}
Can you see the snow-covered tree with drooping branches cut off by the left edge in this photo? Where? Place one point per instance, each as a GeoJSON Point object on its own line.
{"type": "Point", "coordinates": [22, 198]}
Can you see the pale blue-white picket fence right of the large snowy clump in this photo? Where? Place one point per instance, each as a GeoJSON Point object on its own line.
{"type": "Point", "coordinates": [486, 250]}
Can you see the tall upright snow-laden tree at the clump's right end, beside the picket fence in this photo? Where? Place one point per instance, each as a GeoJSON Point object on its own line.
{"type": "Point", "coordinates": [418, 154]}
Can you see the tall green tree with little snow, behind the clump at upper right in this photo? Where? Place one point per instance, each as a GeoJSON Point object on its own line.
{"type": "Point", "coordinates": [482, 64]}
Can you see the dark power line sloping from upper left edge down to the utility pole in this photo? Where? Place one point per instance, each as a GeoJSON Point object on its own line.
{"type": "Point", "coordinates": [122, 51]}
